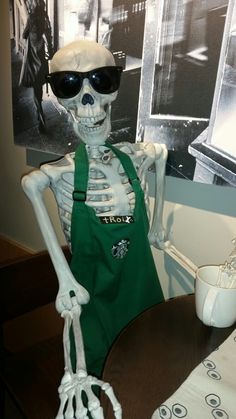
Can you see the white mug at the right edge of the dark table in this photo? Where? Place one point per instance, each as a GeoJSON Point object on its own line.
{"type": "Point", "coordinates": [215, 300]}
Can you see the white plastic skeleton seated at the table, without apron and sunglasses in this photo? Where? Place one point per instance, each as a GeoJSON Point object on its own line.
{"type": "Point", "coordinates": [109, 193]}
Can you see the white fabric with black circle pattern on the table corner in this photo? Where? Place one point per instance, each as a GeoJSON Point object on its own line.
{"type": "Point", "coordinates": [209, 392]}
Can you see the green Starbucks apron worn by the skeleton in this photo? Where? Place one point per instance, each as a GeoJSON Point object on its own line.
{"type": "Point", "coordinates": [112, 259]}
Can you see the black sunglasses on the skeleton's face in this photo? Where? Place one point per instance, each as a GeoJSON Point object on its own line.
{"type": "Point", "coordinates": [67, 84]}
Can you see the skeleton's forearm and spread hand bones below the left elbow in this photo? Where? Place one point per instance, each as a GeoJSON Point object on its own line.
{"type": "Point", "coordinates": [74, 383]}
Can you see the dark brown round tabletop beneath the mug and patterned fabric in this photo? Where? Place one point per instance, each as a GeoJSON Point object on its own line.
{"type": "Point", "coordinates": [155, 353]}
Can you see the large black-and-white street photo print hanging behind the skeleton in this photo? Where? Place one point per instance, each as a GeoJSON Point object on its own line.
{"type": "Point", "coordinates": [169, 50]}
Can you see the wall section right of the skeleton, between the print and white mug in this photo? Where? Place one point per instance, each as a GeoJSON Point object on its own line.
{"type": "Point", "coordinates": [201, 223]}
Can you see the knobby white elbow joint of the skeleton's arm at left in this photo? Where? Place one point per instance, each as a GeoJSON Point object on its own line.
{"type": "Point", "coordinates": [69, 293]}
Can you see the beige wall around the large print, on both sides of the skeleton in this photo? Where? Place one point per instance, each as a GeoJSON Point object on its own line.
{"type": "Point", "coordinates": [200, 218]}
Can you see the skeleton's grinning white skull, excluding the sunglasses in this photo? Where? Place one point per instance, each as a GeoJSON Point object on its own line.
{"type": "Point", "coordinates": [90, 110]}
